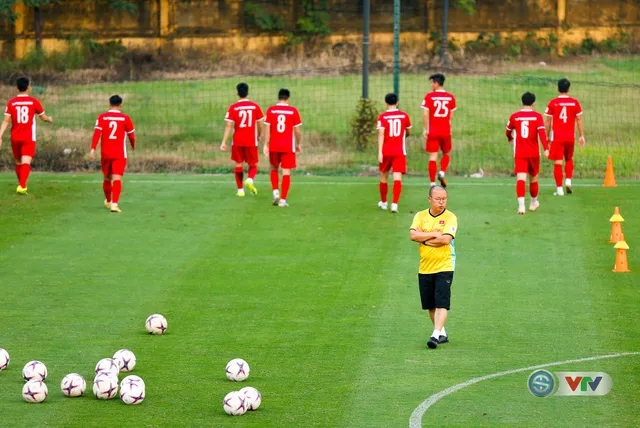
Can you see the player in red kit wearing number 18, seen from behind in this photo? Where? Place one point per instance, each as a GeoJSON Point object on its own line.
{"type": "Point", "coordinates": [21, 113]}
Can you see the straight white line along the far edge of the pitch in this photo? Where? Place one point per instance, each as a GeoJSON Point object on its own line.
{"type": "Point", "coordinates": [228, 182]}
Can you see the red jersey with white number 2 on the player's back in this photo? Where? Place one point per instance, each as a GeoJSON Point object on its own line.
{"type": "Point", "coordinates": [113, 127]}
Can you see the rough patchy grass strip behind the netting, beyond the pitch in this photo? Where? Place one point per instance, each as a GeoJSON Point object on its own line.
{"type": "Point", "coordinates": [180, 123]}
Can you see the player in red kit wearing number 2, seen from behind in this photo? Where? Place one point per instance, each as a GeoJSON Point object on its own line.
{"type": "Point", "coordinates": [113, 128]}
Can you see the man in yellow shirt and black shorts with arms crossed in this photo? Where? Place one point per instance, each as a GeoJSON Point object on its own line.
{"type": "Point", "coordinates": [435, 230]}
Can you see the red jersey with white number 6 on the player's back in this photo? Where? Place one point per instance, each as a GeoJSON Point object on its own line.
{"type": "Point", "coordinates": [528, 126]}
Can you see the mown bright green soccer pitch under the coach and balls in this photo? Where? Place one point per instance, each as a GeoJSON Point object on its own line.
{"type": "Point", "coordinates": [320, 299]}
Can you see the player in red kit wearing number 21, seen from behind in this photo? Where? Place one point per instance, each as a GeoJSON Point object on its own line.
{"type": "Point", "coordinates": [245, 117]}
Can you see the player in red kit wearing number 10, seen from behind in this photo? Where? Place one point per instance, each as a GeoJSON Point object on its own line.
{"type": "Point", "coordinates": [393, 128]}
